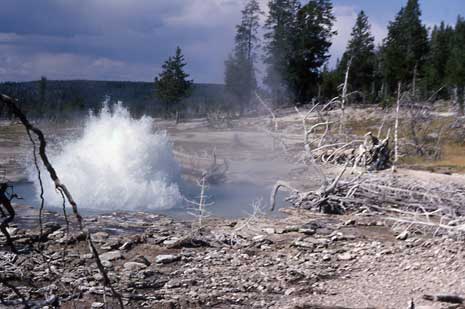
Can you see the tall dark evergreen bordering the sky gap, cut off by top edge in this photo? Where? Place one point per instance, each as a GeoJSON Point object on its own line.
{"type": "Point", "coordinates": [312, 40]}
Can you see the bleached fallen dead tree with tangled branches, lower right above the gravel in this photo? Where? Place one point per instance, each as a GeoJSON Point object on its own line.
{"type": "Point", "coordinates": [429, 208]}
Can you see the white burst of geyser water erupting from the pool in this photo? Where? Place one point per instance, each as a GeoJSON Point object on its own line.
{"type": "Point", "coordinates": [118, 163]}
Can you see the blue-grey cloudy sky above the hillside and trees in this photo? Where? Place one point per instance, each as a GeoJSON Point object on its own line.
{"type": "Point", "coordinates": [130, 39]}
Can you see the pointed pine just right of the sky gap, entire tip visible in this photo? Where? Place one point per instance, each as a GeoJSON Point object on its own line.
{"type": "Point", "coordinates": [361, 51]}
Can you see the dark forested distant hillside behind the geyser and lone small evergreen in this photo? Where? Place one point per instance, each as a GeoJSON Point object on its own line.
{"type": "Point", "coordinates": [75, 96]}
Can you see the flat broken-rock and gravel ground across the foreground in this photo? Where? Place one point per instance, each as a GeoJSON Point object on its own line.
{"type": "Point", "coordinates": [298, 261]}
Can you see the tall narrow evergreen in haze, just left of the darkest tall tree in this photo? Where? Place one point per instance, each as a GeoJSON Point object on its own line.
{"type": "Point", "coordinates": [280, 29]}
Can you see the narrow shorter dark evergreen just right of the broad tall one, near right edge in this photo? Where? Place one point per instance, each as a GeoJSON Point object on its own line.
{"type": "Point", "coordinates": [438, 57]}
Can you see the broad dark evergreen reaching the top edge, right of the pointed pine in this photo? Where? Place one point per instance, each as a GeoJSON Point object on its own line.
{"type": "Point", "coordinates": [405, 46]}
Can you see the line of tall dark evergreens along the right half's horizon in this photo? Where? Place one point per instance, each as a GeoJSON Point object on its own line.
{"type": "Point", "coordinates": [430, 63]}
